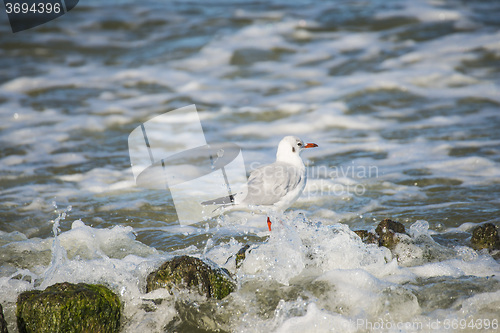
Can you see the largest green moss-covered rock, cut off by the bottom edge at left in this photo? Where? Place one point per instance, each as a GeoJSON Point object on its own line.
{"type": "Point", "coordinates": [66, 307]}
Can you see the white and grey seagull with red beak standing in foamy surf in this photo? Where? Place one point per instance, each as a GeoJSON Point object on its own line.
{"type": "Point", "coordinates": [276, 186]}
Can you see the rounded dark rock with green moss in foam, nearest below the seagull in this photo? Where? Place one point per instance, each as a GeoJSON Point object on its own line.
{"type": "Point", "coordinates": [192, 273]}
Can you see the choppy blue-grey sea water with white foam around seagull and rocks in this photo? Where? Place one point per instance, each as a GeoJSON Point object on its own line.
{"type": "Point", "coordinates": [402, 97]}
